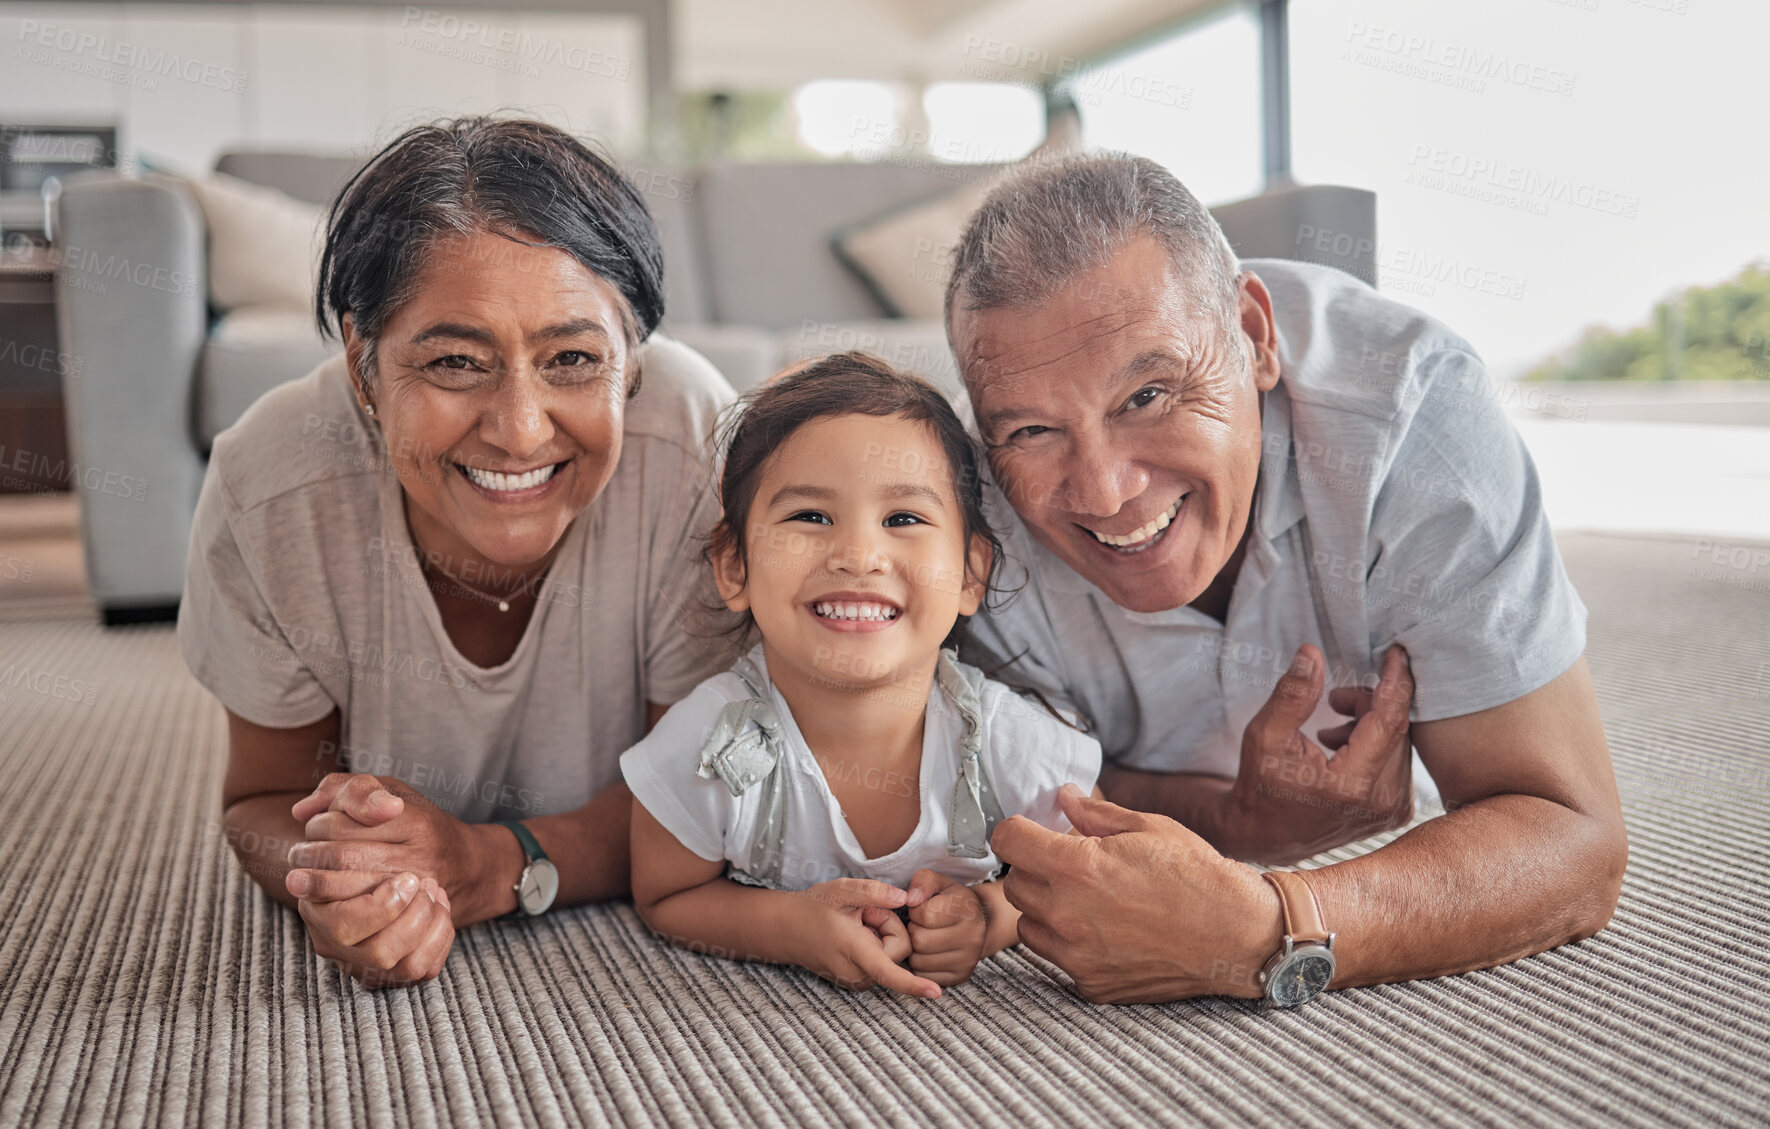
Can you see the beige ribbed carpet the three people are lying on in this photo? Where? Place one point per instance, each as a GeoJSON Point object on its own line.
{"type": "Point", "coordinates": [146, 981]}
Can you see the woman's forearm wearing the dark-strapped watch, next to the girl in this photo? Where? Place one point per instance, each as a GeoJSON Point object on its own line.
{"type": "Point", "coordinates": [587, 845]}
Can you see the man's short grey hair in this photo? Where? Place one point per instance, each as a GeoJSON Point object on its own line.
{"type": "Point", "coordinates": [1054, 220]}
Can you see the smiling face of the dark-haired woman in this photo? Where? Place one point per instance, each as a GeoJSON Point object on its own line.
{"type": "Point", "coordinates": [504, 417]}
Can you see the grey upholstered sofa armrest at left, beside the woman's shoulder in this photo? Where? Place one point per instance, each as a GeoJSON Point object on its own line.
{"type": "Point", "coordinates": [132, 314]}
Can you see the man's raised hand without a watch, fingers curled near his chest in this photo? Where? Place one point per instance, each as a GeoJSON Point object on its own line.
{"type": "Point", "coordinates": [1298, 799]}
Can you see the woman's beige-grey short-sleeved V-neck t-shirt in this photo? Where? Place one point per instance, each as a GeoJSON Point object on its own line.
{"type": "Point", "coordinates": [304, 595]}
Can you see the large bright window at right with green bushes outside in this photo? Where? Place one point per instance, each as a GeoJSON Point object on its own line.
{"type": "Point", "coordinates": [1534, 187]}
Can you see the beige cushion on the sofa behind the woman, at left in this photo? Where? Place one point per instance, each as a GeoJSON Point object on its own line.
{"type": "Point", "coordinates": [252, 351]}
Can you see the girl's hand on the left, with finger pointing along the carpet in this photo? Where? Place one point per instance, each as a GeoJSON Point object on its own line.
{"type": "Point", "coordinates": [856, 941]}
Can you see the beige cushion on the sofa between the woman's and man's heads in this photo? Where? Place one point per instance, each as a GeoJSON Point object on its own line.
{"type": "Point", "coordinates": [767, 234]}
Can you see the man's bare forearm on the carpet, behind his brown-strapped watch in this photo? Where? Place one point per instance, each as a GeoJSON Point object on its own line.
{"type": "Point", "coordinates": [1488, 884]}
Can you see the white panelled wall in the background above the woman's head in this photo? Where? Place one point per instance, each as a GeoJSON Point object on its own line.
{"type": "Point", "coordinates": [187, 82]}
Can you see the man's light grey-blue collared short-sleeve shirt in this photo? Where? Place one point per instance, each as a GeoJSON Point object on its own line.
{"type": "Point", "coordinates": [1396, 505]}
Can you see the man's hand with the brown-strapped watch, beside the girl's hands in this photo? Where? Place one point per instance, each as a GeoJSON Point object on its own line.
{"type": "Point", "coordinates": [1137, 909]}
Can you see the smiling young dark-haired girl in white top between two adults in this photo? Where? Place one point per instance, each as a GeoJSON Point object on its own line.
{"type": "Point", "coordinates": [849, 771]}
